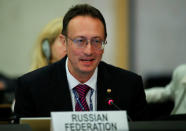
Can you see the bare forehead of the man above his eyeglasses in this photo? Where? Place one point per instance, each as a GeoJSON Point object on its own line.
{"type": "Point", "coordinates": [85, 25]}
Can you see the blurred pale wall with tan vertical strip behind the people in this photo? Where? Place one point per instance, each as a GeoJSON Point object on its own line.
{"type": "Point", "coordinates": [144, 36]}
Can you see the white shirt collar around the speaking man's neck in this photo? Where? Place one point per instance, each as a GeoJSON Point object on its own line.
{"type": "Point", "coordinates": [72, 81]}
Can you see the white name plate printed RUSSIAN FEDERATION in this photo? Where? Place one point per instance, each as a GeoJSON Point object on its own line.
{"type": "Point", "coordinates": [89, 121]}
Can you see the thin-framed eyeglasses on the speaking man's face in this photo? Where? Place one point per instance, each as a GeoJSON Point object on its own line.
{"type": "Point", "coordinates": [82, 42]}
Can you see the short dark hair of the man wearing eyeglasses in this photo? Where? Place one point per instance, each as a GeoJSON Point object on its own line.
{"type": "Point", "coordinates": [82, 10]}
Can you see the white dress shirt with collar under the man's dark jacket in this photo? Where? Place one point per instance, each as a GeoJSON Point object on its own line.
{"type": "Point", "coordinates": [73, 82]}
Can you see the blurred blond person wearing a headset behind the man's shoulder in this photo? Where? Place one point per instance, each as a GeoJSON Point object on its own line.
{"type": "Point", "coordinates": [48, 48]}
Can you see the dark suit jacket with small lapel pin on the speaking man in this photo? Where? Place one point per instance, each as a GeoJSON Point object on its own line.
{"type": "Point", "coordinates": [46, 89]}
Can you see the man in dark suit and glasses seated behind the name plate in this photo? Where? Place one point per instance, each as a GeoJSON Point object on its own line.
{"type": "Point", "coordinates": [58, 87]}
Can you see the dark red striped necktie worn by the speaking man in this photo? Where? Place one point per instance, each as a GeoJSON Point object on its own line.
{"type": "Point", "coordinates": [82, 91]}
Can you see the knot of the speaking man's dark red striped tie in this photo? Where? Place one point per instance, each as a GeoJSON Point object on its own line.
{"type": "Point", "coordinates": [82, 89]}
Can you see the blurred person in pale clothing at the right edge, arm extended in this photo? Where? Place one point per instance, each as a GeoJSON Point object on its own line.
{"type": "Point", "coordinates": [175, 91]}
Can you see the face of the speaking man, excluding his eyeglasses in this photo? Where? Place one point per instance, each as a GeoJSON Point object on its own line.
{"type": "Point", "coordinates": [84, 60]}
